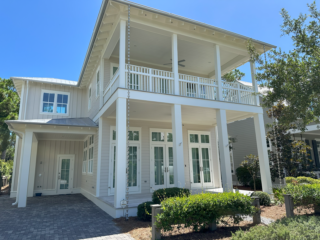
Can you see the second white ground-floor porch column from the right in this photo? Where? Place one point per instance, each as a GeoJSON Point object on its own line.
{"type": "Point", "coordinates": [224, 150]}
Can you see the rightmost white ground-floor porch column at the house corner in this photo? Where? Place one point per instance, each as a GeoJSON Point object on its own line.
{"type": "Point", "coordinates": [263, 153]}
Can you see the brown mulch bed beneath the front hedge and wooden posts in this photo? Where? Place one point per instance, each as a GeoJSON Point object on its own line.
{"type": "Point", "coordinates": [141, 230]}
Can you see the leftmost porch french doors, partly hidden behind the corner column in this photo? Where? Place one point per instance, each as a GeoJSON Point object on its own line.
{"type": "Point", "coordinates": [134, 161]}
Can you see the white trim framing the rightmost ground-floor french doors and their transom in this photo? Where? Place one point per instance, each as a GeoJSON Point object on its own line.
{"type": "Point", "coordinates": [190, 144]}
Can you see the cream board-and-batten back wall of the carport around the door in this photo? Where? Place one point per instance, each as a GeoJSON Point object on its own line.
{"type": "Point", "coordinates": [47, 162]}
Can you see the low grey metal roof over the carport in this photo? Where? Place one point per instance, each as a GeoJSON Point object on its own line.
{"type": "Point", "coordinates": [72, 122]}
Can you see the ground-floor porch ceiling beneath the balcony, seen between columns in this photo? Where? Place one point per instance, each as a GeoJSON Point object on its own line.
{"type": "Point", "coordinates": [153, 111]}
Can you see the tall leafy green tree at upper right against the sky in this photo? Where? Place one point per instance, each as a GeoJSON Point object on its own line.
{"type": "Point", "coordinates": [294, 77]}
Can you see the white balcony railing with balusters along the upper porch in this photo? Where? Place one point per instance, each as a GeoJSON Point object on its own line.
{"type": "Point", "coordinates": [159, 81]}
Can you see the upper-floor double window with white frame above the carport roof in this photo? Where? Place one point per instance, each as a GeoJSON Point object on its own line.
{"type": "Point", "coordinates": [54, 102]}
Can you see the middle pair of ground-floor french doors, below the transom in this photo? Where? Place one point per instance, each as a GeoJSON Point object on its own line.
{"type": "Point", "coordinates": [162, 167]}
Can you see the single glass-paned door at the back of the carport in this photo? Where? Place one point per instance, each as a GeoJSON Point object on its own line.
{"type": "Point", "coordinates": [65, 174]}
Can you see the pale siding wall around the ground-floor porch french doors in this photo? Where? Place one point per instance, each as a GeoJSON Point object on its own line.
{"type": "Point", "coordinates": [145, 152]}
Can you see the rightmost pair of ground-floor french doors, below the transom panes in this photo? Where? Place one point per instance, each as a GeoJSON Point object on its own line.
{"type": "Point", "coordinates": [201, 166]}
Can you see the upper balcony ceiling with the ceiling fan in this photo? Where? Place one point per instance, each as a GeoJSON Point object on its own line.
{"type": "Point", "coordinates": [152, 49]}
